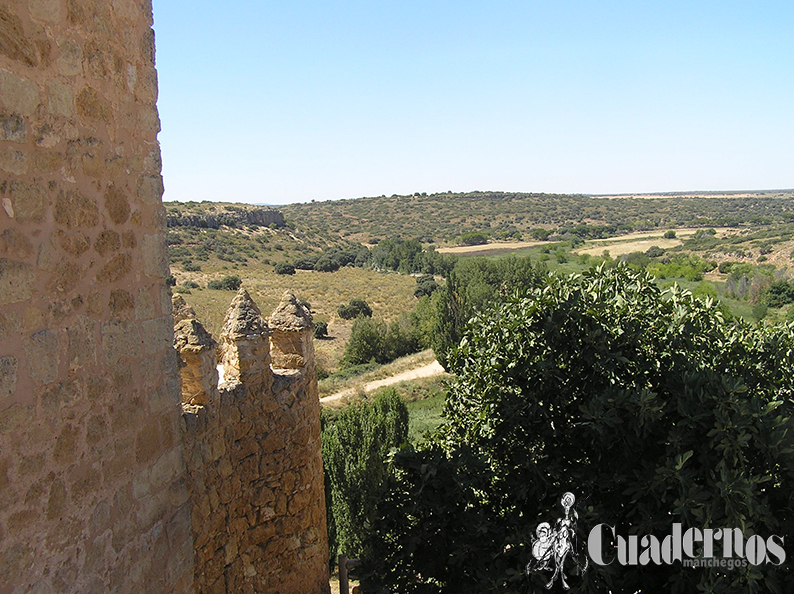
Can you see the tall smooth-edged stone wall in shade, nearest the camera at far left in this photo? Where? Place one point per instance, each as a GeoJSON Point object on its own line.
{"type": "Point", "coordinates": [92, 478]}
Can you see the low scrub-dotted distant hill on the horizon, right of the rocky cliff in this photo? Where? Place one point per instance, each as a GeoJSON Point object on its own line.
{"type": "Point", "coordinates": [441, 218]}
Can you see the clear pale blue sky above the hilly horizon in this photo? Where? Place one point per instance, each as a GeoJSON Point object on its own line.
{"type": "Point", "coordinates": [288, 101]}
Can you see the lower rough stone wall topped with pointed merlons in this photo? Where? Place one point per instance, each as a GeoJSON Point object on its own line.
{"type": "Point", "coordinates": [253, 453]}
